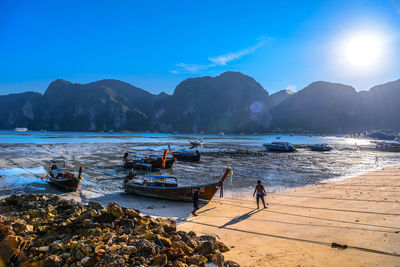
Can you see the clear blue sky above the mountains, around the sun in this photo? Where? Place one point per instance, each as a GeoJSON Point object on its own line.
{"type": "Point", "coordinates": [155, 45]}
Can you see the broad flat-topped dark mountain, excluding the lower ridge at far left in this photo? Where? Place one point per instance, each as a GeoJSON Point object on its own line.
{"type": "Point", "coordinates": [101, 105]}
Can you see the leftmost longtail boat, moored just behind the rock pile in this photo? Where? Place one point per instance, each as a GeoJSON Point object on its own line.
{"type": "Point", "coordinates": [62, 177]}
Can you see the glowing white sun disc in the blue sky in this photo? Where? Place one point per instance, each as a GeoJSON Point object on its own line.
{"type": "Point", "coordinates": [362, 51]}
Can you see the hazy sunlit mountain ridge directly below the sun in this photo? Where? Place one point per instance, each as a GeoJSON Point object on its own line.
{"type": "Point", "coordinates": [336, 108]}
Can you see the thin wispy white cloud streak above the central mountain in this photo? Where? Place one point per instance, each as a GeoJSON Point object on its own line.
{"type": "Point", "coordinates": [222, 60]}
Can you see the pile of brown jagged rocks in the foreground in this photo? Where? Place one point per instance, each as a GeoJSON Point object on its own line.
{"type": "Point", "coordinates": [46, 230]}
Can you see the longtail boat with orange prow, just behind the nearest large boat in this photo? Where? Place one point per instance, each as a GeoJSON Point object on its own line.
{"type": "Point", "coordinates": [147, 163]}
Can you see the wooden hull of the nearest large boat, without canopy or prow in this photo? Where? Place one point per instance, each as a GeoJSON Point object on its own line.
{"type": "Point", "coordinates": [181, 193]}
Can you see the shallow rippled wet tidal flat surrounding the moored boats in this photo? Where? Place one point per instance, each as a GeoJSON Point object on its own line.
{"type": "Point", "coordinates": [102, 164]}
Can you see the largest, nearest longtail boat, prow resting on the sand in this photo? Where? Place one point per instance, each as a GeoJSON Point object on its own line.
{"type": "Point", "coordinates": [166, 187]}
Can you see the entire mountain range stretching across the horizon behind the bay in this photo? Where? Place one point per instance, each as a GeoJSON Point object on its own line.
{"type": "Point", "coordinates": [231, 102]}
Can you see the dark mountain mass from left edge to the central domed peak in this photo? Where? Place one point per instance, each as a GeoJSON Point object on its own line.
{"type": "Point", "coordinates": [66, 106]}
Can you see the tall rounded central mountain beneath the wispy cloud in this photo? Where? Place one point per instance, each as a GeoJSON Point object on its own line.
{"type": "Point", "coordinates": [231, 102]}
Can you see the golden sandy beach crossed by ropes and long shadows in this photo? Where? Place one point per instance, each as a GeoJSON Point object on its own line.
{"type": "Point", "coordinates": [299, 225]}
